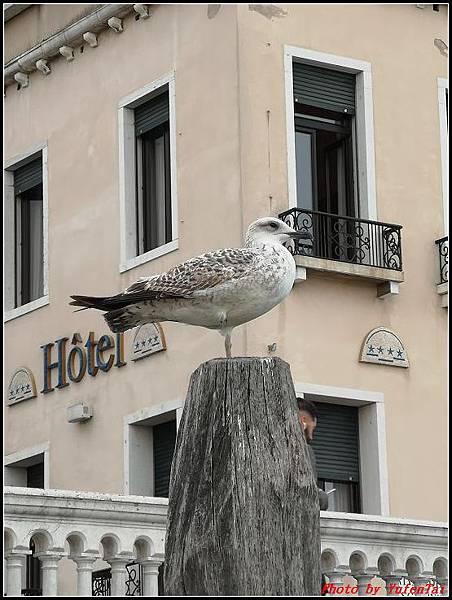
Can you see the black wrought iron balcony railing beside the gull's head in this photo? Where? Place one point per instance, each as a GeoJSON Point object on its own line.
{"type": "Point", "coordinates": [346, 239]}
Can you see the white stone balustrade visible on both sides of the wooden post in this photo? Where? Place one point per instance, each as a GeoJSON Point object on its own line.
{"type": "Point", "coordinates": [86, 527]}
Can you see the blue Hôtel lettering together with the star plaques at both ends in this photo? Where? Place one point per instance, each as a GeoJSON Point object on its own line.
{"type": "Point", "coordinates": [91, 356]}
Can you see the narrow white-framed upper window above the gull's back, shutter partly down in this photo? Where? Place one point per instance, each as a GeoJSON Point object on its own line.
{"type": "Point", "coordinates": [147, 174]}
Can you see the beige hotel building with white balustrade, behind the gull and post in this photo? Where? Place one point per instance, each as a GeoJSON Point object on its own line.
{"type": "Point", "coordinates": [138, 136]}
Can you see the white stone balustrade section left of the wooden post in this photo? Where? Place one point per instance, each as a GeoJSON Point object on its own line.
{"type": "Point", "coordinates": [84, 527]}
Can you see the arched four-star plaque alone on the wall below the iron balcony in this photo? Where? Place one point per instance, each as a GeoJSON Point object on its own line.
{"type": "Point", "coordinates": [382, 346]}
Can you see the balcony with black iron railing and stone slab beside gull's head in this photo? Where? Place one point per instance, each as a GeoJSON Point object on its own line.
{"type": "Point", "coordinates": [345, 246]}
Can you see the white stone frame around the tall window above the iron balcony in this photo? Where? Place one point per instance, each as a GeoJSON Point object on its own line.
{"type": "Point", "coordinates": [364, 122]}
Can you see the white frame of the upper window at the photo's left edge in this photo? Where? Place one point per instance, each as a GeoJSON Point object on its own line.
{"type": "Point", "coordinates": [10, 166]}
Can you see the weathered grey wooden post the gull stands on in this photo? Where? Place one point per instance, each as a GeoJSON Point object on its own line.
{"type": "Point", "coordinates": [243, 514]}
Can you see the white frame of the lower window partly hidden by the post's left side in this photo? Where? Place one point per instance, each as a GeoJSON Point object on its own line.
{"type": "Point", "coordinates": [138, 446]}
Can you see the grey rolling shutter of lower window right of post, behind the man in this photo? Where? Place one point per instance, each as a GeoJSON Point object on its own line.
{"type": "Point", "coordinates": [336, 442]}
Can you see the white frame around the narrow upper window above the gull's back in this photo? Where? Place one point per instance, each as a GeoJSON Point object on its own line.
{"type": "Point", "coordinates": [127, 174]}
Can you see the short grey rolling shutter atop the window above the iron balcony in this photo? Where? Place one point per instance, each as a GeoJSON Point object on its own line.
{"type": "Point", "coordinates": [324, 88]}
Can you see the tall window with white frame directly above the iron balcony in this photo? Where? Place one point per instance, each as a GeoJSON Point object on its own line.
{"type": "Point", "coordinates": [337, 91]}
